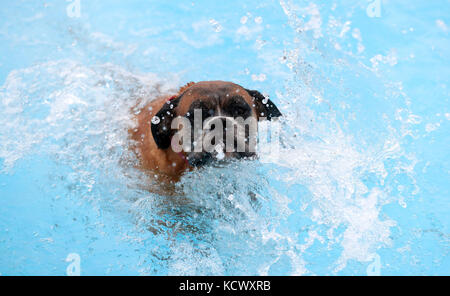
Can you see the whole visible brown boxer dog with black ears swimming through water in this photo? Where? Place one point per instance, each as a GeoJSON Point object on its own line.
{"type": "Point", "coordinates": [215, 103]}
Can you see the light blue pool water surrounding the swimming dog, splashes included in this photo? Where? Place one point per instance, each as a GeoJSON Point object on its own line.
{"type": "Point", "coordinates": [361, 185]}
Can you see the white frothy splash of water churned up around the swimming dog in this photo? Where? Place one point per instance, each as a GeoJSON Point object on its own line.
{"type": "Point", "coordinates": [323, 196]}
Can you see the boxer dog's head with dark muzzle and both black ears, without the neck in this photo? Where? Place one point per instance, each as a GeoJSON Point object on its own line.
{"type": "Point", "coordinates": [228, 111]}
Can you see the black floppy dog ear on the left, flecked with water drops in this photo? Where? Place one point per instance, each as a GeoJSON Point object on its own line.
{"type": "Point", "coordinates": [162, 121]}
